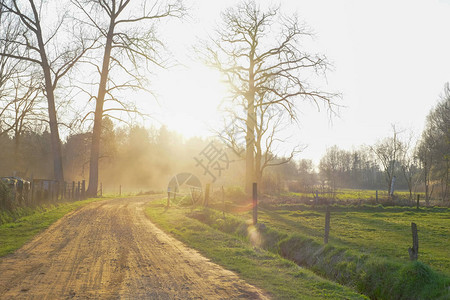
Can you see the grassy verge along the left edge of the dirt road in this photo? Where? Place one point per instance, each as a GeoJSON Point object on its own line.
{"type": "Point", "coordinates": [15, 234]}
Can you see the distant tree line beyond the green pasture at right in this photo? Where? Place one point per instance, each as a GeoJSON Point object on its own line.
{"type": "Point", "coordinates": [420, 165]}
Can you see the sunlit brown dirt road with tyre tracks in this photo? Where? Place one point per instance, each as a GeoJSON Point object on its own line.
{"type": "Point", "coordinates": [110, 250]}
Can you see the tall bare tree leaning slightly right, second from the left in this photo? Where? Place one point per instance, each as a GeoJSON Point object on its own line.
{"type": "Point", "coordinates": [126, 33]}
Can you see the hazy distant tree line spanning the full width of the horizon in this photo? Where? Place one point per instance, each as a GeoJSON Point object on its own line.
{"type": "Point", "coordinates": [139, 157]}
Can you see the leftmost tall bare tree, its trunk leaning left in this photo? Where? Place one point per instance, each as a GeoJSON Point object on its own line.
{"type": "Point", "coordinates": [41, 44]}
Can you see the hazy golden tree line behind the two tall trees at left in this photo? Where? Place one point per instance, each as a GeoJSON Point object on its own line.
{"type": "Point", "coordinates": [132, 156]}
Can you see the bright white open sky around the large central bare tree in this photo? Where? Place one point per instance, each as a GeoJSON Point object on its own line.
{"type": "Point", "coordinates": [391, 60]}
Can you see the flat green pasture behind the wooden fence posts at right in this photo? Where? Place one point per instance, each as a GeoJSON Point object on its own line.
{"type": "Point", "coordinates": [385, 232]}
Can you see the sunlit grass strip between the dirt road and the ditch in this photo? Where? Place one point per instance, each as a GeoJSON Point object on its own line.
{"type": "Point", "coordinates": [281, 278]}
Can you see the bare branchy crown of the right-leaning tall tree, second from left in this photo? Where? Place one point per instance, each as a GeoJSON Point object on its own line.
{"type": "Point", "coordinates": [125, 31]}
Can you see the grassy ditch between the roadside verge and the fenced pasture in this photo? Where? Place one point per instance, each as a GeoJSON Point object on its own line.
{"type": "Point", "coordinates": [375, 276]}
